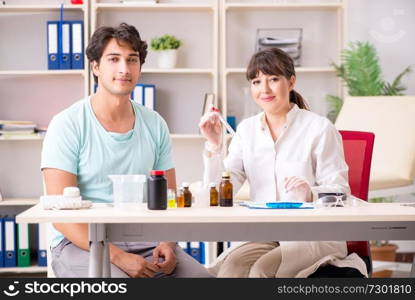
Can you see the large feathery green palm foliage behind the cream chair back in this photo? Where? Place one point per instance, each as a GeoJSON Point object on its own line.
{"type": "Point", "coordinates": [362, 75]}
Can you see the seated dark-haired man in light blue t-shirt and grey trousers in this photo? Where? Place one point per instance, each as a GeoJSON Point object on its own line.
{"type": "Point", "coordinates": [104, 134]}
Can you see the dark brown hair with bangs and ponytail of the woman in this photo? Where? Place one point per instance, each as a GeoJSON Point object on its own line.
{"type": "Point", "coordinates": [273, 61]}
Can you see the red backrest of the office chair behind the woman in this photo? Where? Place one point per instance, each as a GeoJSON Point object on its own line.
{"type": "Point", "coordinates": [358, 148]}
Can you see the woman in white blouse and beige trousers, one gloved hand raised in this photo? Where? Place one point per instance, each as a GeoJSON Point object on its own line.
{"type": "Point", "coordinates": [286, 151]}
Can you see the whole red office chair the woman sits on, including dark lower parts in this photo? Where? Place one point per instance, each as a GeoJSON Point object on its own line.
{"type": "Point", "coordinates": [358, 148]}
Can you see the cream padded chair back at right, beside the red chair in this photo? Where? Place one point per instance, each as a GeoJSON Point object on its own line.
{"type": "Point", "coordinates": [391, 119]}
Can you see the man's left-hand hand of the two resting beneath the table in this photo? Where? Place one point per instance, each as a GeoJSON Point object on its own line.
{"type": "Point", "coordinates": [135, 265]}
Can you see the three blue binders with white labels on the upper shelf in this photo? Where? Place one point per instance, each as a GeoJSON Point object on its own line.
{"type": "Point", "coordinates": [65, 45]}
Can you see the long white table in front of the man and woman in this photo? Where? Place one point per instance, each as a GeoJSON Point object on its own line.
{"type": "Point", "coordinates": [374, 221]}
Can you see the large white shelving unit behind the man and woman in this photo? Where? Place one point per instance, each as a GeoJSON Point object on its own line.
{"type": "Point", "coordinates": [217, 44]}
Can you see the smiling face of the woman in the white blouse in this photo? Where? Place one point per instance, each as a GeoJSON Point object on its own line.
{"type": "Point", "coordinates": [272, 92]}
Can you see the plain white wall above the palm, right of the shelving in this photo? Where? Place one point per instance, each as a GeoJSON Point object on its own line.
{"type": "Point", "coordinates": [390, 26]}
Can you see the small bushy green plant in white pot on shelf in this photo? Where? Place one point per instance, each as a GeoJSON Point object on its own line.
{"type": "Point", "coordinates": [167, 46]}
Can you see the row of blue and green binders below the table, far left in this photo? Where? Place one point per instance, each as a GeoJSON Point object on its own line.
{"type": "Point", "coordinates": [14, 243]}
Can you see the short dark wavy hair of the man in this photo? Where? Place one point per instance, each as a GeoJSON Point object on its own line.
{"type": "Point", "coordinates": [124, 32]}
